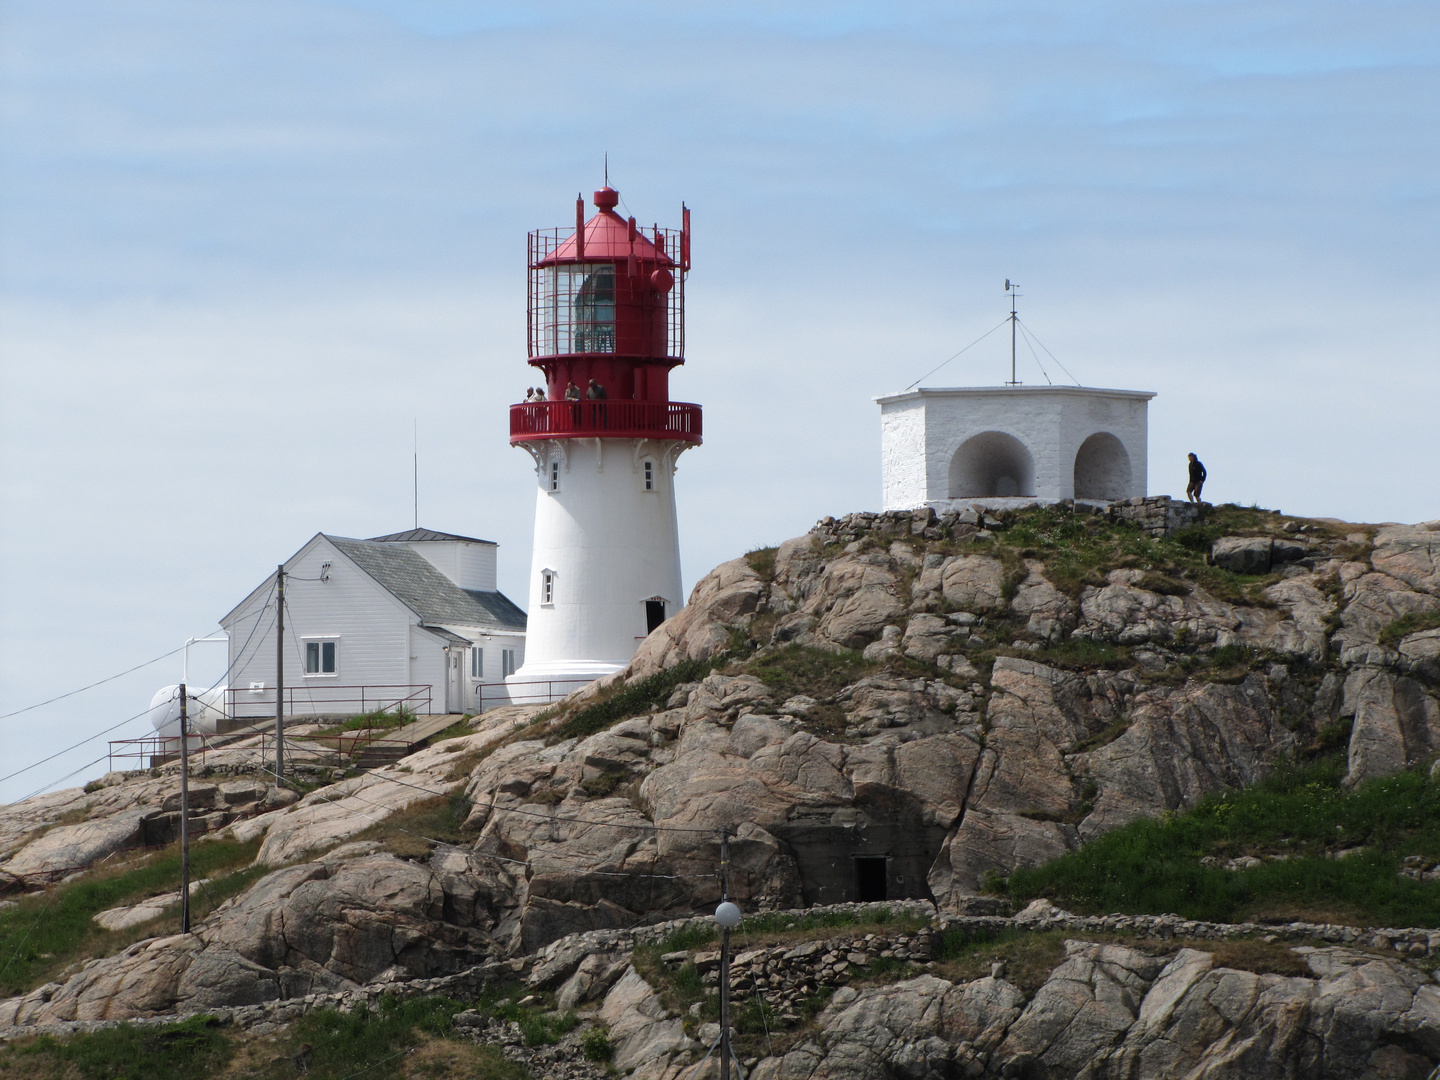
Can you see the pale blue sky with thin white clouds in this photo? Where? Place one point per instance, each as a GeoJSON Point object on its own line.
{"type": "Point", "coordinates": [254, 254]}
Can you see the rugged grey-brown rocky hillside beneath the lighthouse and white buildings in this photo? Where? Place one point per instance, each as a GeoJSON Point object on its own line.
{"type": "Point", "coordinates": [894, 706]}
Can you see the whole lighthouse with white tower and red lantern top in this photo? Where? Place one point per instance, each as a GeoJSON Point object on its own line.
{"type": "Point", "coordinates": [607, 325]}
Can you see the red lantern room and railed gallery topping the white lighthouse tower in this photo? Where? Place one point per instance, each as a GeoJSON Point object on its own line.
{"type": "Point", "coordinates": [607, 323]}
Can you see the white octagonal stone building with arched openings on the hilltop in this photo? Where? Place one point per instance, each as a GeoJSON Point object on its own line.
{"type": "Point", "coordinates": [996, 443]}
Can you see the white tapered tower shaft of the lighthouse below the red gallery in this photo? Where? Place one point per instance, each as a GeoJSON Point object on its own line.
{"type": "Point", "coordinates": [607, 558]}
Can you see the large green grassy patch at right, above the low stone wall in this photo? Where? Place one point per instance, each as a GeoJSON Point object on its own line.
{"type": "Point", "coordinates": [1298, 822]}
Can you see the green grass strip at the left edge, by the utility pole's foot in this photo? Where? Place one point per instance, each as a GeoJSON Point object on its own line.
{"type": "Point", "coordinates": [42, 935]}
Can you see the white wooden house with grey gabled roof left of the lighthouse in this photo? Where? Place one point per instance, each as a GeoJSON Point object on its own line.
{"type": "Point", "coordinates": [413, 618]}
